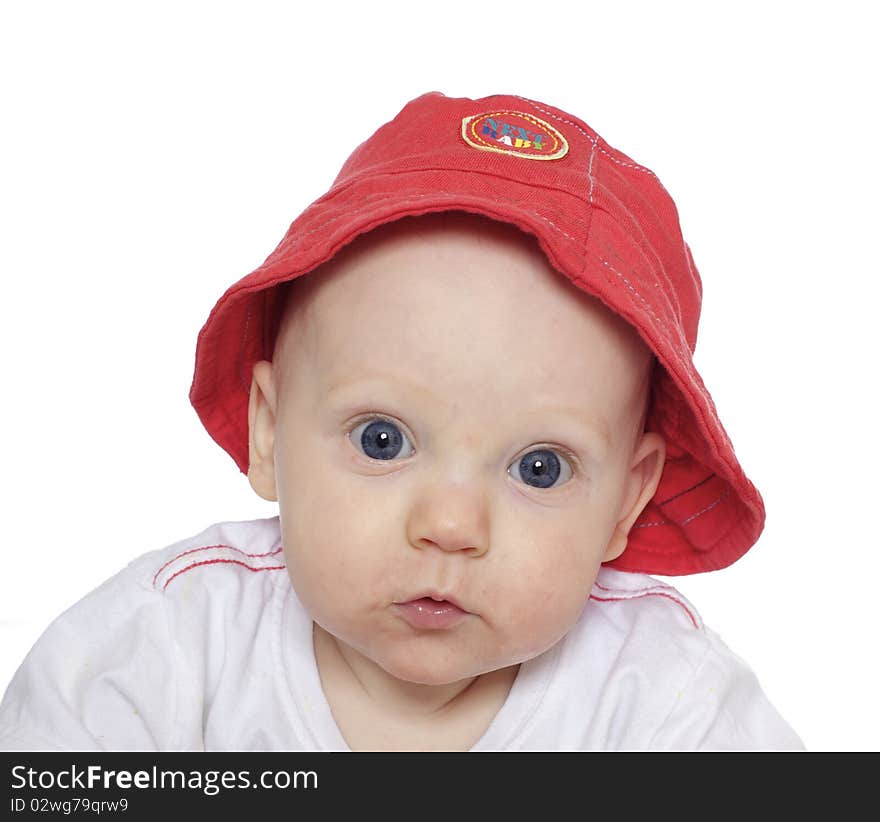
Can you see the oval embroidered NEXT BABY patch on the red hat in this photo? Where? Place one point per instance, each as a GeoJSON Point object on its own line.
{"type": "Point", "coordinates": [514, 132]}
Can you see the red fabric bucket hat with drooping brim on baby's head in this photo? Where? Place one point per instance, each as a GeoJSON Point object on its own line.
{"type": "Point", "coordinates": [602, 220]}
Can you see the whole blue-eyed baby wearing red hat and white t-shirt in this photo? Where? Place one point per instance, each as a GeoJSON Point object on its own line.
{"type": "Point", "coordinates": [480, 418]}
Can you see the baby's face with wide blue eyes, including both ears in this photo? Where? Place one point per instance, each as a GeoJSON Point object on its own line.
{"type": "Point", "coordinates": [446, 415]}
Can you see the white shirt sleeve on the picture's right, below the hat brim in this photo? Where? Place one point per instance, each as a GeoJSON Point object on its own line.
{"type": "Point", "coordinates": [723, 708]}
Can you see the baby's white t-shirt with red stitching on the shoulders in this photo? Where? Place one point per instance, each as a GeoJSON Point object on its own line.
{"type": "Point", "coordinates": [204, 645]}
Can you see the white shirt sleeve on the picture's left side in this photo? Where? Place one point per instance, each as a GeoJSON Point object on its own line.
{"type": "Point", "coordinates": [101, 677]}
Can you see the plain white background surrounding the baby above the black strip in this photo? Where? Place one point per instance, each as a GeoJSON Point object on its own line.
{"type": "Point", "coordinates": [155, 152]}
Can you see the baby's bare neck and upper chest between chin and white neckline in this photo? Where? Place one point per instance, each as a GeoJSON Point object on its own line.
{"type": "Point", "coordinates": [375, 711]}
